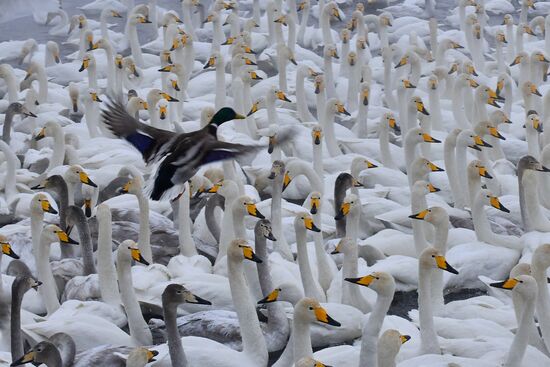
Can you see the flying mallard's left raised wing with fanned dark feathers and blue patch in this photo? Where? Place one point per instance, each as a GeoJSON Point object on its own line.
{"type": "Point", "coordinates": [147, 139]}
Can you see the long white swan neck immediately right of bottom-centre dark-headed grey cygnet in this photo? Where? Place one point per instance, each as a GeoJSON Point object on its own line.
{"type": "Point", "coordinates": [254, 346]}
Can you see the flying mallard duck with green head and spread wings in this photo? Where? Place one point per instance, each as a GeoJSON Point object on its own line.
{"type": "Point", "coordinates": [179, 155]}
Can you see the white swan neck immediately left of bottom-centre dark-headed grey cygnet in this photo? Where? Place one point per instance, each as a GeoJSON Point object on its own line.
{"type": "Point", "coordinates": [139, 330]}
